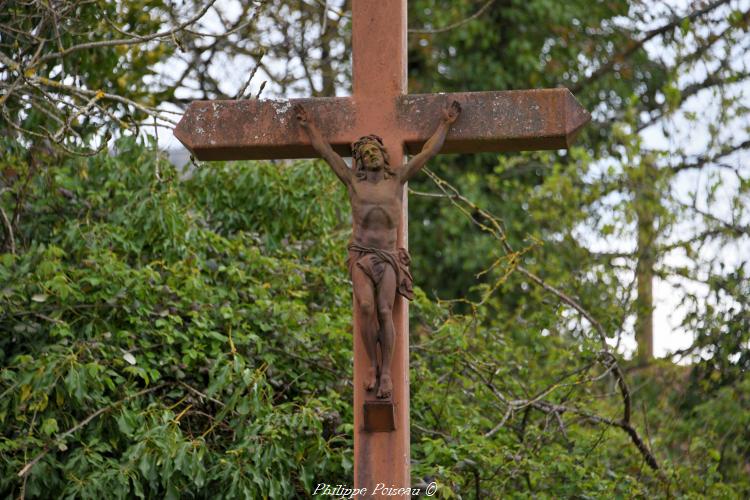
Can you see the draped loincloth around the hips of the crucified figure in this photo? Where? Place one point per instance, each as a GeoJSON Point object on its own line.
{"type": "Point", "coordinates": [372, 261]}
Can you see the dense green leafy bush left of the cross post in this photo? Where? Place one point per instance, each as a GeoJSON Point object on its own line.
{"type": "Point", "coordinates": [219, 363]}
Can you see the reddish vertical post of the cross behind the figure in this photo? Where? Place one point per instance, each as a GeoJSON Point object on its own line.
{"type": "Point", "coordinates": [379, 77]}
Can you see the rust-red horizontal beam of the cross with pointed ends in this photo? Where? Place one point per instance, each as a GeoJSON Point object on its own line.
{"type": "Point", "coordinates": [490, 121]}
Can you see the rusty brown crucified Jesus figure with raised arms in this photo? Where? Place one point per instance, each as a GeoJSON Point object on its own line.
{"type": "Point", "coordinates": [379, 270]}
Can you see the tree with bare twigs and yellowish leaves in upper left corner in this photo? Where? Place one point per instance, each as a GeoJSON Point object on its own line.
{"type": "Point", "coordinates": [75, 74]}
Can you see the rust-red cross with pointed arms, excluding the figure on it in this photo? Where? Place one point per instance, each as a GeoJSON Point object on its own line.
{"type": "Point", "coordinates": [490, 121]}
